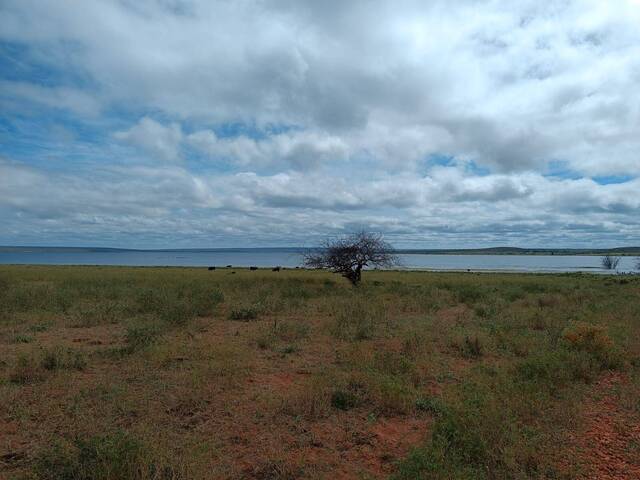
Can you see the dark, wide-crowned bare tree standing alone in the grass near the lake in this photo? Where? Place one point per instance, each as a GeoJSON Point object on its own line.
{"type": "Point", "coordinates": [350, 254]}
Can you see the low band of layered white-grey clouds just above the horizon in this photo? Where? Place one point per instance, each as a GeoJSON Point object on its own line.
{"type": "Point", "coordinates": [294, 207]}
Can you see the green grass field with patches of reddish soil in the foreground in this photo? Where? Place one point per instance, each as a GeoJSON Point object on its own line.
{"type": "Point", "coordinates": [180, 373]}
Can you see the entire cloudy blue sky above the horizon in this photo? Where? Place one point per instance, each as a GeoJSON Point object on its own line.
{"type": "Point", "coordinates": [178, 124]}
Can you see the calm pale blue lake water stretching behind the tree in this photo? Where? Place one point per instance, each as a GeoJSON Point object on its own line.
{"type": "Point", "coordinates": [292, 258]}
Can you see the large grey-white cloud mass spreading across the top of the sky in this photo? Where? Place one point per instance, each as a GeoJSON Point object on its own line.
{"type": "Point", "coordinates": [509, 86]}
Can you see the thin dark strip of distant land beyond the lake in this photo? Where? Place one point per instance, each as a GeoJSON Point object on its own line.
{"type": "Point", "coordinates": [621, 251]}
